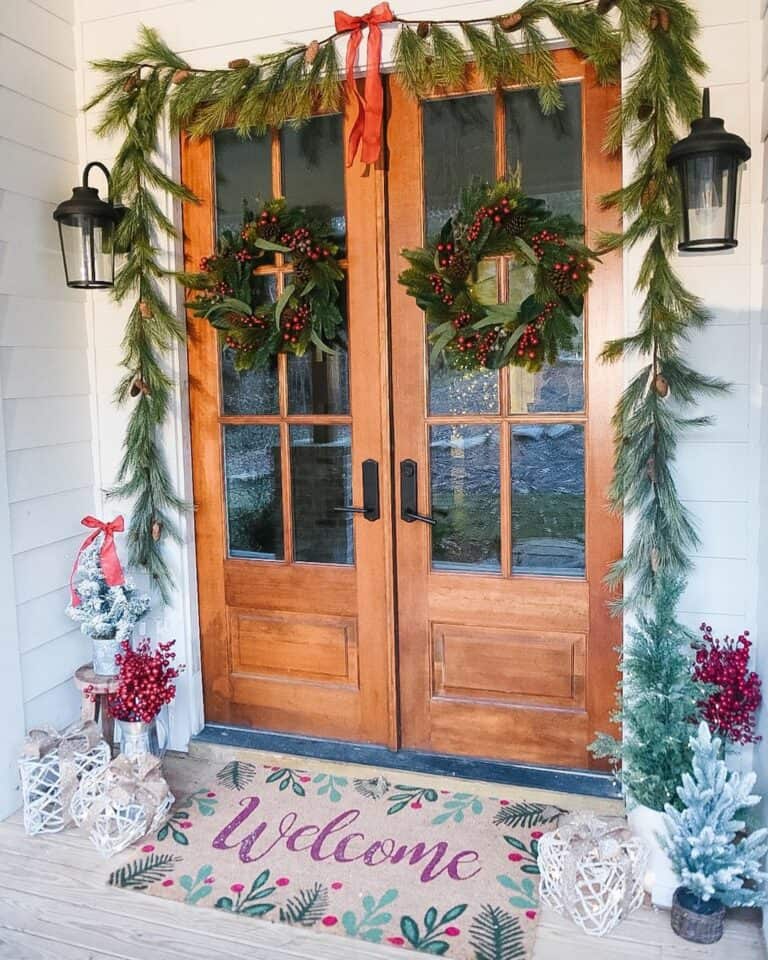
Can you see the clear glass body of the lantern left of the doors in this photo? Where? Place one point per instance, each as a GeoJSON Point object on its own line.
{"type": "Point", "coordinates": [88, 251]}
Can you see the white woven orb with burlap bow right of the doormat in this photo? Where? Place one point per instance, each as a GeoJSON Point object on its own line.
{"type": "Point", "coordinates": [592, 872]}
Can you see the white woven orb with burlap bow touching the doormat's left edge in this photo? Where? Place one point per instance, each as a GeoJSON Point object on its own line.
{"type": "Point", "coordinates": [113, 817]}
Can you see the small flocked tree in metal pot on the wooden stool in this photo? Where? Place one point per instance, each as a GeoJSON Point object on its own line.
{"type": "Point", "coordinates": [105, 613]}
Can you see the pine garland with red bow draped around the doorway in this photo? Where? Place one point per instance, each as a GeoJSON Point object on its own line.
{"type": "Point", "coordinates": [660, 96]}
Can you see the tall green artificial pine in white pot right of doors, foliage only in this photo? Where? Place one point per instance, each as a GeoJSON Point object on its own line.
{"type": "Point", "coordinates": [657, 701]}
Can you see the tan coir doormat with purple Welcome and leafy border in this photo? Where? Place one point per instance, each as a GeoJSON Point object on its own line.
{"type": "Point", "coordinates": [443, 873]}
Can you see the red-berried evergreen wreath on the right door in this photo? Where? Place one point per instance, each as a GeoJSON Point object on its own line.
{"type": "Point", "coordinates": [464, 325]}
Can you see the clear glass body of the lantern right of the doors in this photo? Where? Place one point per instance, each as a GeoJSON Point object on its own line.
{"type": "Point", "coordinates": [709, 184]}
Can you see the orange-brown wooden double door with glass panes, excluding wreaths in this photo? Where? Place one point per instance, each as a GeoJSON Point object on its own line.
{"type": "Point", "coordinates": [466, 613]}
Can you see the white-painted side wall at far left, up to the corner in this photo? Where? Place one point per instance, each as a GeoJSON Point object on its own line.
{"type": "Point", "coordinates": [46, 456]}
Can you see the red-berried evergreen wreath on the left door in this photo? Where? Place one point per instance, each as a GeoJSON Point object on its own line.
{"type": "Point", "coordinates": [231, 298]}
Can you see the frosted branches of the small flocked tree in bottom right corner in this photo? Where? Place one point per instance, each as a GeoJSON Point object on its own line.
{"type": "Point", "coordinates": [700, 840]}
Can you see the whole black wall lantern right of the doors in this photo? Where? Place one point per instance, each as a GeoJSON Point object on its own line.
{"type": "Point", "coordinates": [708, 162]}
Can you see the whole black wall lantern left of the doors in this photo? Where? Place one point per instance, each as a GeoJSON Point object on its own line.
{"type": "Point", "coordinates": [87, 234]}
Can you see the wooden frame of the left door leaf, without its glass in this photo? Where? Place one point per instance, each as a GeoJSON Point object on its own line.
{"type": "Point", "coordinates": [292, 646]}
